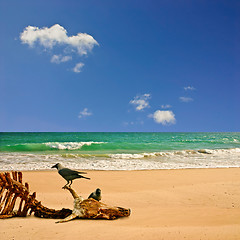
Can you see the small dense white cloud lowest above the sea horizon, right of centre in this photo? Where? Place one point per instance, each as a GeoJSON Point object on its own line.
{"type": "Point", "coordinates": [163, 117]}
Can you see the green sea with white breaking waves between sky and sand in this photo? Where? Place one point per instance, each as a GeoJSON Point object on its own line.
{"type": "Point", "coordinates": [118, 151]}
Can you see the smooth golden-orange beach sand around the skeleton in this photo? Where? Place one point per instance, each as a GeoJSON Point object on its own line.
{"type": "Point", "coordinates": [166, 204]}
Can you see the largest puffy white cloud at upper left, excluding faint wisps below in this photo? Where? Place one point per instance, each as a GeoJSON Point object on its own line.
{"type": "Point", "coordinates": [57, 35]}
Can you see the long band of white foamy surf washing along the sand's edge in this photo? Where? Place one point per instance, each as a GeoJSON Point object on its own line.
{"type": "Point", "coordinates": [205, 158]}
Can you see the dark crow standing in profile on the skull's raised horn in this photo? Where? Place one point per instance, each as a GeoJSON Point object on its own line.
{"type": "Point", "coordinates": [68, 174]}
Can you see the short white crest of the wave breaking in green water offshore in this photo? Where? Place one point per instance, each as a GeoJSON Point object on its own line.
{"type": "Point", "coordinates": [69, 145]}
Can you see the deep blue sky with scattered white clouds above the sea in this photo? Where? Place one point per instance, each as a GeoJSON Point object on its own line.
{"type": "Point", "coordinates": [119, 65]}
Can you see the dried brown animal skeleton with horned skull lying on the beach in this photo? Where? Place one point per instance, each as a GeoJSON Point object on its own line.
{"type": "Point", "coordinates": [12, 188]}
